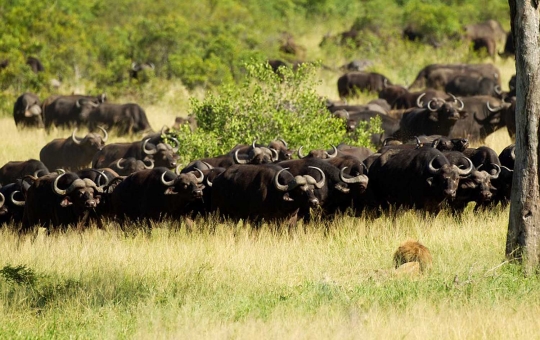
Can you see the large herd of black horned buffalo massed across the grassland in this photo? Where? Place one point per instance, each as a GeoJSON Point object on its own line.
{"type": "Point", "coordinates": [423, 160]}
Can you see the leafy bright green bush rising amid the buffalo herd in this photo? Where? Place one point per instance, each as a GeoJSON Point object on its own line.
{"type": "Point", "coordinates": [264, 107]}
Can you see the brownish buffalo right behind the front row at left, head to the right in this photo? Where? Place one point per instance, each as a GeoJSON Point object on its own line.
{"type": "Point", "coordinates": [72, 153]}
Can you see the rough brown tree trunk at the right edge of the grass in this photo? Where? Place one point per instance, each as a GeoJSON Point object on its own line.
{"type": "Point", "coordinates": [523, 239]}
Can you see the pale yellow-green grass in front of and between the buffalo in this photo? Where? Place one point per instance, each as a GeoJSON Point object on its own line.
{"type": "Point", "coordinates": [222, 281]}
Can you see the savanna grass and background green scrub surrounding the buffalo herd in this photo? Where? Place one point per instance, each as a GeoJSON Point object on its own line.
{"type": "Point", "coordinates": [223, 280]}
